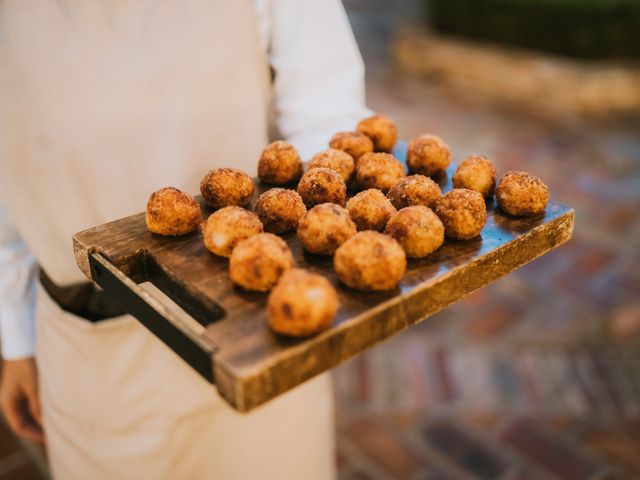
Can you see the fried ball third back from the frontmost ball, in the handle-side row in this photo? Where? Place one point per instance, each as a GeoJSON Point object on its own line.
{"type": "Point", "coordinates": [228, 226]}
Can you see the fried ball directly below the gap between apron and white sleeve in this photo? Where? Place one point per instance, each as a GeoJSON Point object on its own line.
{"type": "Point", "coordinates": [279, 164]}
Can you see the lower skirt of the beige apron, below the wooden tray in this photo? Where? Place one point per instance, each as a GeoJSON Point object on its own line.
{"type": "Point", "coordinates": [123, 406]}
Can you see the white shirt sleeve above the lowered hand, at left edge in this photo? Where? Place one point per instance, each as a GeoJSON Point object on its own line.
{"type": "Point", "coordinates": [17, 293]}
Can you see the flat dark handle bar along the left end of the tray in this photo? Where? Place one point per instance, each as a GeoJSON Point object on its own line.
{"type": "Point", "coordinates": [184, 339]}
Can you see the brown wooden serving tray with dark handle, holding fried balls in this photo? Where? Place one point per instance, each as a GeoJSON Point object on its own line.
{"type": "Point", "coordinates": [225, 335]}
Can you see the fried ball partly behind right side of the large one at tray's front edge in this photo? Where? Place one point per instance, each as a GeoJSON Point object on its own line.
{"type": "Point", "coordinates": [417, 229]}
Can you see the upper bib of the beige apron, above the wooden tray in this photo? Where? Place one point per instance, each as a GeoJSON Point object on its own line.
{"type": "Point", "coordinates": [130, 96]}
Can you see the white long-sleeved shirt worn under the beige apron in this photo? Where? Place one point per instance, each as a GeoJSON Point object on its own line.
{"type": "Point", "coordinates": [318, 90]}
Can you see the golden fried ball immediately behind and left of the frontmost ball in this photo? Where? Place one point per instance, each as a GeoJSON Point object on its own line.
{"type": "Point", "coordinates": [258, 262]}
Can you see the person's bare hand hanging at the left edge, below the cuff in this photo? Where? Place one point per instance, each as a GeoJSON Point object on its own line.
{"type": "Point", "coordinates": [19, 398]}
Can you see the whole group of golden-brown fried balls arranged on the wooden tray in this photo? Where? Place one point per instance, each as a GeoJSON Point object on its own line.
{"type": "Point", "coordinates": [387, 217]}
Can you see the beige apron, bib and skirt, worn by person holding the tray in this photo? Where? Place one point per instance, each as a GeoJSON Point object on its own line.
{"type": "Point", "coordinates": [100, 104]}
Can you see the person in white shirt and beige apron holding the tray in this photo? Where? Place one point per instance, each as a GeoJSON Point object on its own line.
{"type": "Point", "coordinates": [102, 103]}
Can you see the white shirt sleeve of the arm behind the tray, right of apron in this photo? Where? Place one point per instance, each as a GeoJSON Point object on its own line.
{"type": "Point", "coordinates": [319, 72]}
